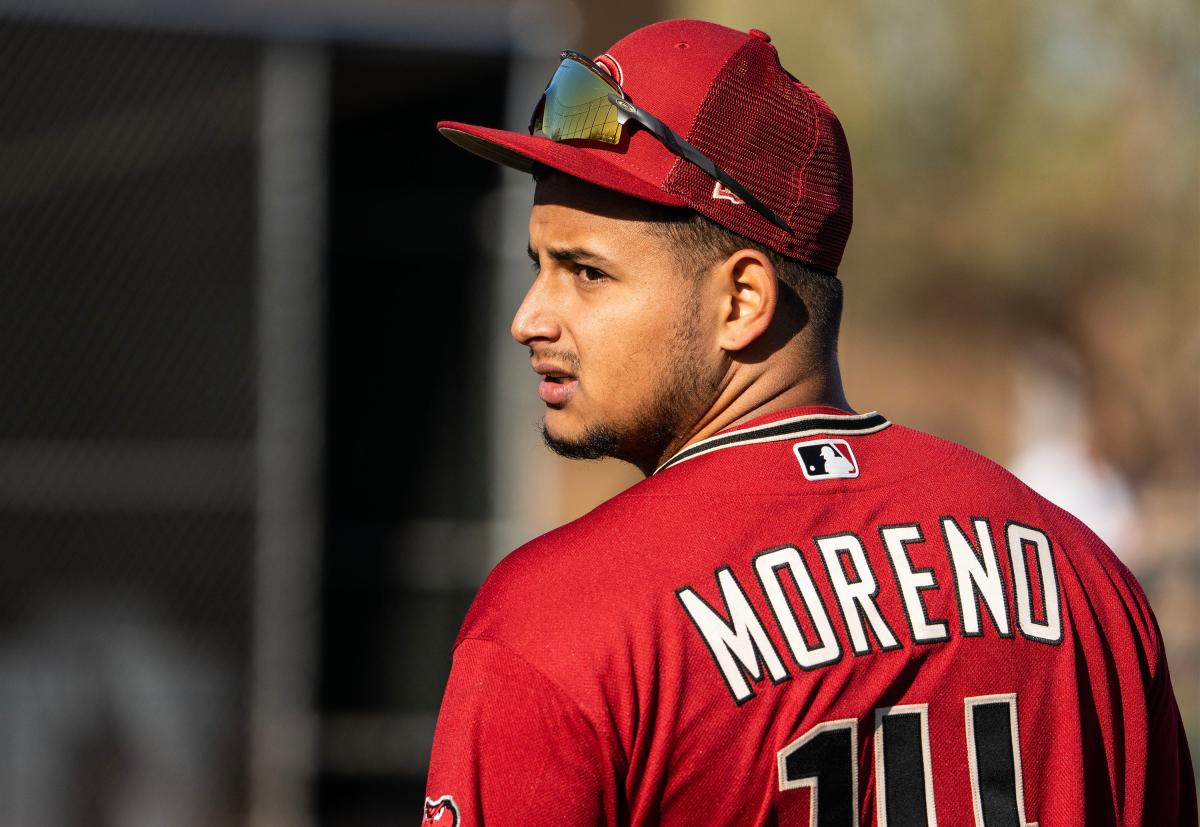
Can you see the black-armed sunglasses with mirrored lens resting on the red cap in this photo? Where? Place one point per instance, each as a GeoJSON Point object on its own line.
{"type": "Point", "coordinates": [584, 103]}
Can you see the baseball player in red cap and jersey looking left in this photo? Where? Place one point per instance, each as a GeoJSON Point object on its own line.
{"type": "Point", "coordinates": [803, 615]}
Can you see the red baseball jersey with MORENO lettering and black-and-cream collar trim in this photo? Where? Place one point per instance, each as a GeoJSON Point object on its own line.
{"type": "Point", "coordinates": [817, 619]}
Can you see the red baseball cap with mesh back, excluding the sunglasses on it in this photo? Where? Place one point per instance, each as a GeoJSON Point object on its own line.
{"type": "Point", "coordinates": [727, 94]}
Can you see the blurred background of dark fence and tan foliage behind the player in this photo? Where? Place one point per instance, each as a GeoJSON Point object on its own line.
{"type": "Point", "coordinates": [263, 430]}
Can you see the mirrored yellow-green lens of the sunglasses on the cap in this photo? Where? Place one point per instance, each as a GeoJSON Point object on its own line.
{"type": "Point", "coordinates": [578, 109]}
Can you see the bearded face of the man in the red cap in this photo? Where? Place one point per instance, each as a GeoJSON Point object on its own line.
{"type": "Point", "coordinates": [614, 326]}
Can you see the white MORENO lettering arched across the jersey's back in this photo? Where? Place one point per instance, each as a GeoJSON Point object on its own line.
{"type": "Point", "coordinates": [802, 613]}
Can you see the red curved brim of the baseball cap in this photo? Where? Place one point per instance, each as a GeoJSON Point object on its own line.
{"type": "Point", "coordinates": [521, 152]}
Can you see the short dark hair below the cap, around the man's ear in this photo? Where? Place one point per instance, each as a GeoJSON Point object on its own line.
{"type": "Point", "coordinates": [811, 297]}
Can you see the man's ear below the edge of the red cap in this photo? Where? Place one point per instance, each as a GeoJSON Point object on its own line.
{"type": "Point", "coordinates": [751, 298]}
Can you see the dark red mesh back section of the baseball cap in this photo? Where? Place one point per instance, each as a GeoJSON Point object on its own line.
{"type": "Point", "coordinates": [781, 141]}
